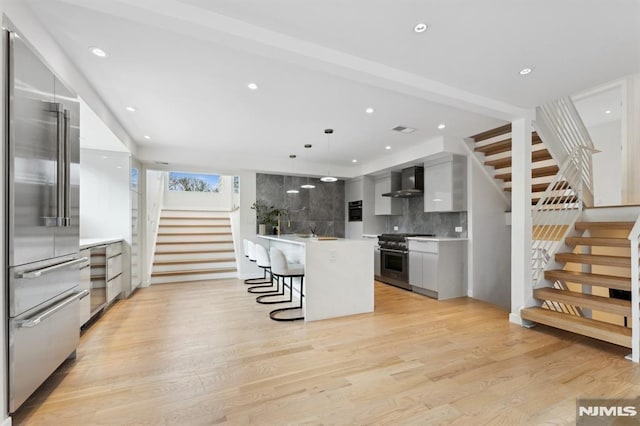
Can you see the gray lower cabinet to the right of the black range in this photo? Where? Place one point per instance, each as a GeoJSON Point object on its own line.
{"type": "Point", "coordinates": [438, 268]}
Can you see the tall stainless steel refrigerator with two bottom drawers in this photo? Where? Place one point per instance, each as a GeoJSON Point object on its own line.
{"type": "Point", "coordinates": [42, 143]}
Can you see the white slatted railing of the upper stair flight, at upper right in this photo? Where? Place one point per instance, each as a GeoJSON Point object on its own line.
{"type": "Point", "coordinates": [559, 122]}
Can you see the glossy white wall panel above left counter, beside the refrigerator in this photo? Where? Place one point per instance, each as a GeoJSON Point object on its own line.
{"type": "Point", "coordinates": [105, 209]}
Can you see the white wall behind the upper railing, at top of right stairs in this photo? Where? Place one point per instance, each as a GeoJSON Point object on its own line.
{"type": "Point", "coordinates": [608, 163]}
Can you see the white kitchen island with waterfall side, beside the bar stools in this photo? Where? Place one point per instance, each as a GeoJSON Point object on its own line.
{"type": "Point", "coordinates": [338, 273]}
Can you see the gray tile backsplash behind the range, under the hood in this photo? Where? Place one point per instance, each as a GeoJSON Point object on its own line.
{"type": "Point", "coordinates": [415, 220]}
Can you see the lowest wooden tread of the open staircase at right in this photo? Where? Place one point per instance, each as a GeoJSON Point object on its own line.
{"type": "Point", "coordinates": [611, 333]}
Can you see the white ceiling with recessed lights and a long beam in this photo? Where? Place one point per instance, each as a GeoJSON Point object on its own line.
{"type": "Point", "coordinates": [185, 66]}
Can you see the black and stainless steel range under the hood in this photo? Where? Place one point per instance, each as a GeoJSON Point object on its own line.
{"type": "Point", "coordinates": [394, 258]}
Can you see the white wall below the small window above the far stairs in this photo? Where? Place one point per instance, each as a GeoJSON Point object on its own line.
{"type": "Point", "coordinates": [185, 200]}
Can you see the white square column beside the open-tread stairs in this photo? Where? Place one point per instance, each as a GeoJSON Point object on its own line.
{"type": "Point", "coordinates": [521, 292]}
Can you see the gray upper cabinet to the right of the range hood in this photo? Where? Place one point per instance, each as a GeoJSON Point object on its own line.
{"type": "Point", "coordinates": [445, 183]}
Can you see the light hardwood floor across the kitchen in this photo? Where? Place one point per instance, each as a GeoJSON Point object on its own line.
{"type": "Point", "coordinates": [205, 353]}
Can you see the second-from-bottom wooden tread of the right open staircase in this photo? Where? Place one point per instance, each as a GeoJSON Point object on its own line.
{"type": "Point", "coordinates": [599, 303]}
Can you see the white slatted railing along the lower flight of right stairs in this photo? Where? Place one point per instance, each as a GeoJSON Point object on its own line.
{"type": "Point", "coordinates": [556, 212]}
